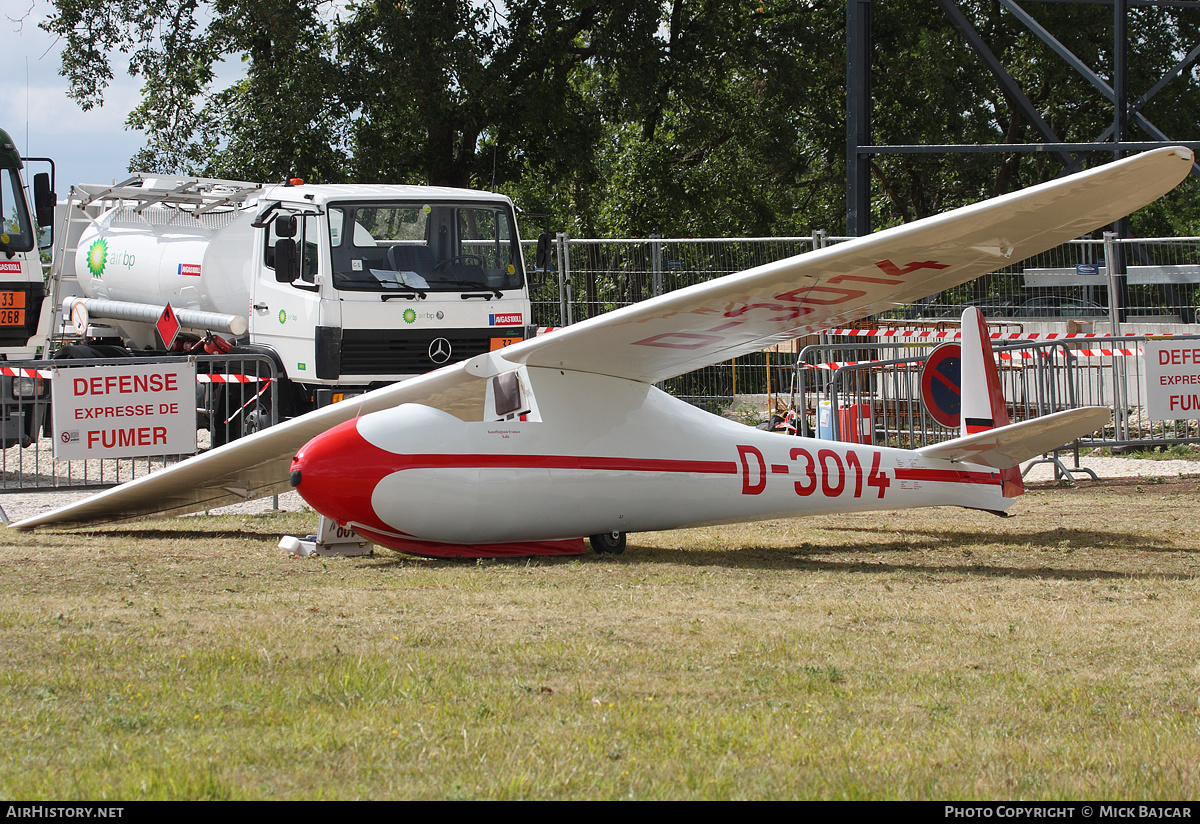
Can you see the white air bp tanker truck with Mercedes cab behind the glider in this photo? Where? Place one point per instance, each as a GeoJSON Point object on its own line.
{"type": "Point", "coordinates": [343, 287]}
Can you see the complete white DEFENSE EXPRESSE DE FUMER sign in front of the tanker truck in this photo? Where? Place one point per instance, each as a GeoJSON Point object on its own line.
{"type": "Point", "coordinates": [123, 412]}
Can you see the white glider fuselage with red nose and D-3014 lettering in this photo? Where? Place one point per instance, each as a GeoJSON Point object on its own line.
{"type": "Point", "coordinates": [605, 455]}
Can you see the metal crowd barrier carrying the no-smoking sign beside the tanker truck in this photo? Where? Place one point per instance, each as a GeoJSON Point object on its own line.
{"type": "Point", "coordinates": [235, 396]}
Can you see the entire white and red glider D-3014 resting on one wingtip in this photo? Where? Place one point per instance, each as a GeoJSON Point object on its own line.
{"type": "Point", "coordinates": [563, 437]}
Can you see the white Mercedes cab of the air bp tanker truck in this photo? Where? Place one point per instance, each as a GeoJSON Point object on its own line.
{"type": "Point", "coordinates": [377, 284]}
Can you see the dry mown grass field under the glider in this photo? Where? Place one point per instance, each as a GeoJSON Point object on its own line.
{"type": "Point", "coordinates": [937, 654]}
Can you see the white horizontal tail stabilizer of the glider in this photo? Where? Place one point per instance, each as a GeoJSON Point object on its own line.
{"type": "Point", "coordinates": [1010, 446]}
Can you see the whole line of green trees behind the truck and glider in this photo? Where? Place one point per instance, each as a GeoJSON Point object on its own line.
{"type": "Point", "coordinates": [625, 118]}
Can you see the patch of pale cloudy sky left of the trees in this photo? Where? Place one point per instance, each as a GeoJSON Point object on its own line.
{"type": "Point", "coordinates": [88, 147]}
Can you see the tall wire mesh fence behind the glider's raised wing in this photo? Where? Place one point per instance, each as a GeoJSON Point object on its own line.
{"type": "Point", "coordinates": [1154, 280]}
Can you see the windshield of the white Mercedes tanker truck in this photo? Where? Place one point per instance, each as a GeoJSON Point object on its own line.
{"type": "Point", "coordinates": [424, 246]}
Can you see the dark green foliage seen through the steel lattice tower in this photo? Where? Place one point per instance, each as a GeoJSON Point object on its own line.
{"type": "Point", "coordinates": [931, 88]}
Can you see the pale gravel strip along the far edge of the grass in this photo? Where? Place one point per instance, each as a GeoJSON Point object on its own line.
{"type": "Point", "coordinates": [27, 504]}
